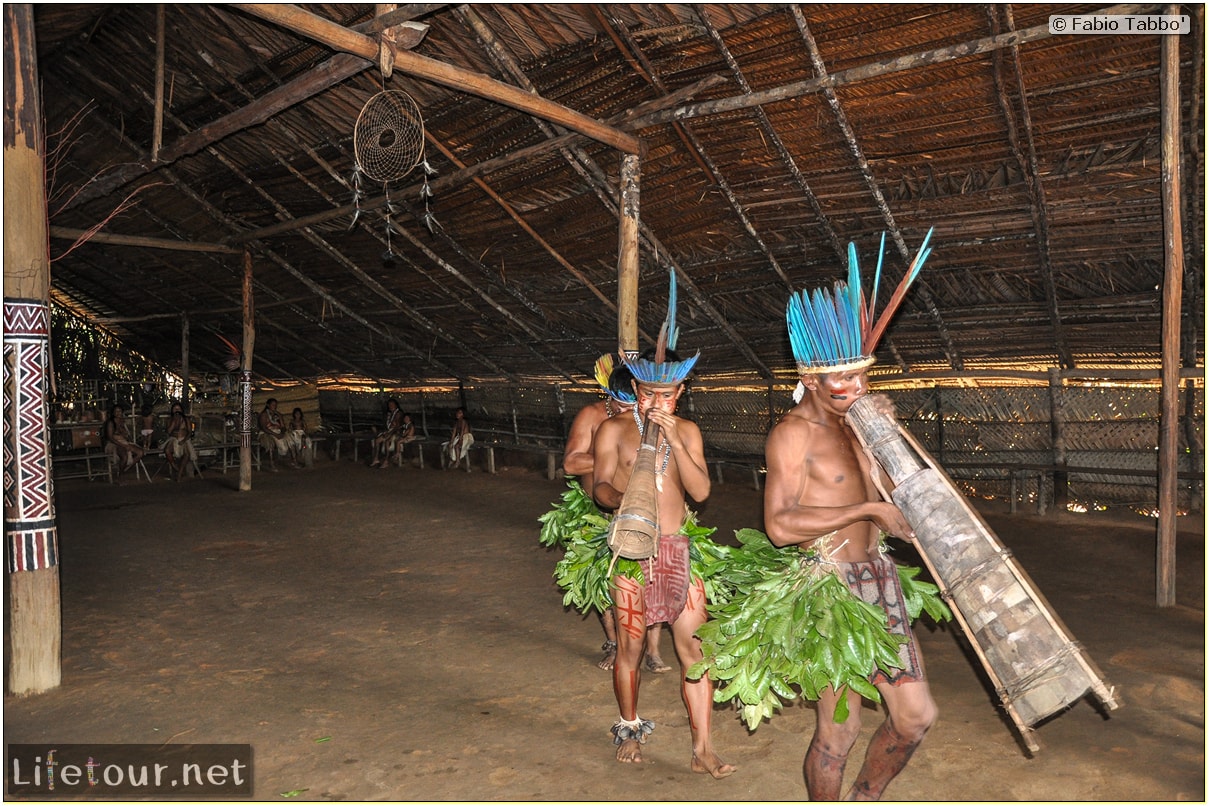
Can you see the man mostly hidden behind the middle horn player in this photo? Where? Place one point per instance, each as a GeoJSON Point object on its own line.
{"type": "Point", "coordinates": [579, 461]}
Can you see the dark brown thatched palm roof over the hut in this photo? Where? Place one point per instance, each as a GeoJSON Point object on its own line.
{"type": "Point", "coordinates": [772, 135]}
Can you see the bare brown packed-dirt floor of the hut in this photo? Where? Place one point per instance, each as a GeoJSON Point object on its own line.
{"type": "Point", "coordinates": [396, 635]}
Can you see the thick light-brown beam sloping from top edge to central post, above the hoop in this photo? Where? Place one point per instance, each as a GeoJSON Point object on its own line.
{"type": "Point", "coordinates": [350, 42]}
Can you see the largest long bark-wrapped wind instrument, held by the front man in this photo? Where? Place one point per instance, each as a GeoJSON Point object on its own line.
{"type": "Point", "coordinates": [1036, 665]}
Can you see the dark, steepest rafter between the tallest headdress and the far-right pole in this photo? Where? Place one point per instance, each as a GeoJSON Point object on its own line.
{"type": "Point", "coordinates": [1026, 153]}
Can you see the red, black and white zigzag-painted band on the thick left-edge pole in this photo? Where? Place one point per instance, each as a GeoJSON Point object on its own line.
{"type": "Point", "coordinates": [31, 534]}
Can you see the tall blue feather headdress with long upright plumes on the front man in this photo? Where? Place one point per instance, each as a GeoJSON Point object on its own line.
{"type": "Point", "coordinates": [832, 330]}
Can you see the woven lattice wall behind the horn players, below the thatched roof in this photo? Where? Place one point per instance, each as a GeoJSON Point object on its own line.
{"type": "Point", "coordinates": [979, 436]}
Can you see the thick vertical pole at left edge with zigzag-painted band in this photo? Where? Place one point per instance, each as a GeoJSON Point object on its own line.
{"type": "Point", "coordinates": [36, 619]}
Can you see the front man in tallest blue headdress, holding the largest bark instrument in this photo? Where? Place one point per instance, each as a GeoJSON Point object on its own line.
{"type": "Point", "coordinates": [822, 492]}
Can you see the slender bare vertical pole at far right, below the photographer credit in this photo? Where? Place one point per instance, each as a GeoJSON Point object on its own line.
{"type": "Point", "coordinates": [1173, 293]}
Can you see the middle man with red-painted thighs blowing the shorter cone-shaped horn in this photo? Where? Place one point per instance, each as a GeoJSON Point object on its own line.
{"type": "Point", "coordinates": [667, 594]}
